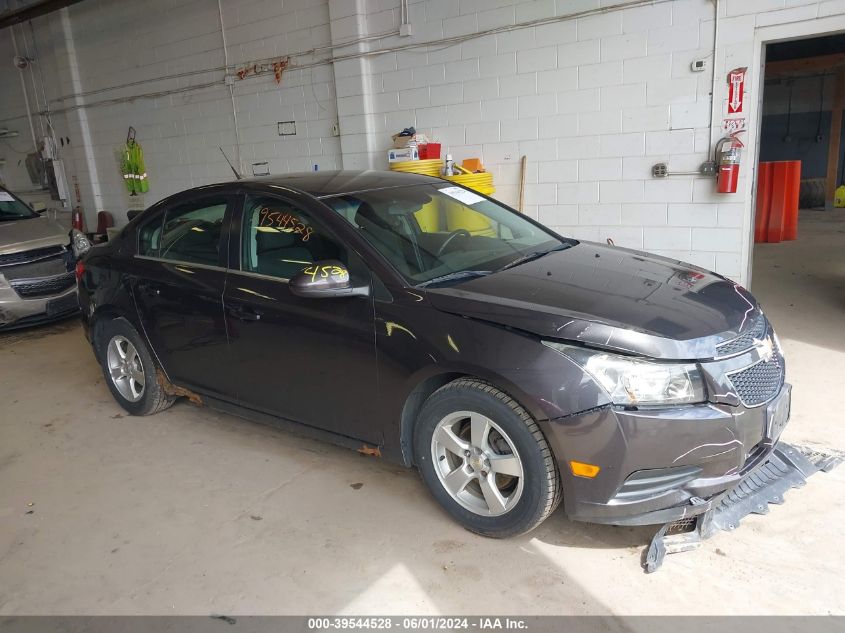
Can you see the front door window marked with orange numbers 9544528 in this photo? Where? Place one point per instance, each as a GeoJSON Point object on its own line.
{"type": "Point", "coordinates": [280, 239]}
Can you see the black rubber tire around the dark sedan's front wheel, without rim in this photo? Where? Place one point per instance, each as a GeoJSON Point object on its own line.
{"type": "Point", "coordinates": [542, 491]}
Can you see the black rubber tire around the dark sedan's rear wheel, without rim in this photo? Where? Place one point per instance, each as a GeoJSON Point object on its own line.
{"type": "Point", "coordinates": [153, 398]}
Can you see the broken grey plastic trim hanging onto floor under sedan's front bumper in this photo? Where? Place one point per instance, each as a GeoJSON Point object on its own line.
{"type": "Point", "coordinates": [787, 467]}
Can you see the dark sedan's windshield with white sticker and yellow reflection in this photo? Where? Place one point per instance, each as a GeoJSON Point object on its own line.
{"type": "Point", "coordinates": [431, 231]}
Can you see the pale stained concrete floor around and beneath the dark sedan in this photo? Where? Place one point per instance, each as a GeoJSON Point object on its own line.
{"type": "Point", "coordinates": [195, 512]}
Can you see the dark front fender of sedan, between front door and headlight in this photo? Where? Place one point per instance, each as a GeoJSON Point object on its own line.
{"type": "Point", "coordinates": [415, 363]}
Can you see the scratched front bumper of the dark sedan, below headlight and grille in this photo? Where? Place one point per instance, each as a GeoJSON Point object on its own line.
{"type": "Point", "coordinates": [663, 465]}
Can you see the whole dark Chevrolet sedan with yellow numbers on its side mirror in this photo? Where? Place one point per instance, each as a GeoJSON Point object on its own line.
{"type": "Point", "coordinates": [414, 319]}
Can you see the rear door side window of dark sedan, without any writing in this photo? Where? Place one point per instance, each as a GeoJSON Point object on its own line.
{"type": "Point", "coordinates": [191, 232]}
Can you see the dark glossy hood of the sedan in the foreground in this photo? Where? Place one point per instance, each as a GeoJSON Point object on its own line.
{"type": "Point", "coordinates": [612, 298]}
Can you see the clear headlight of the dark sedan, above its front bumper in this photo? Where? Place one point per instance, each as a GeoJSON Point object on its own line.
{"type": "Point", "coordinates": [635, 381]}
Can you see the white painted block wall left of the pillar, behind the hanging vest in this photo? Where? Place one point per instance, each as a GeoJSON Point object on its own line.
{"type": "Point", "coordinates": [115, 44]}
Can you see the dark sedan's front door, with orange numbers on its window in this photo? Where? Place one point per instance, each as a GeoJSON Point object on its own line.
{"type": "Point", "coordinates": [305, 359]}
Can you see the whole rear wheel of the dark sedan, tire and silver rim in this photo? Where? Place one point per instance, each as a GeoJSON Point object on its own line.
{"type": "Point", "coordinates": [124, 353]}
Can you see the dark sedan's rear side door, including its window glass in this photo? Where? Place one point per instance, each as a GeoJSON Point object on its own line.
{"type": "Point", "coordinates": [177, 283]}
